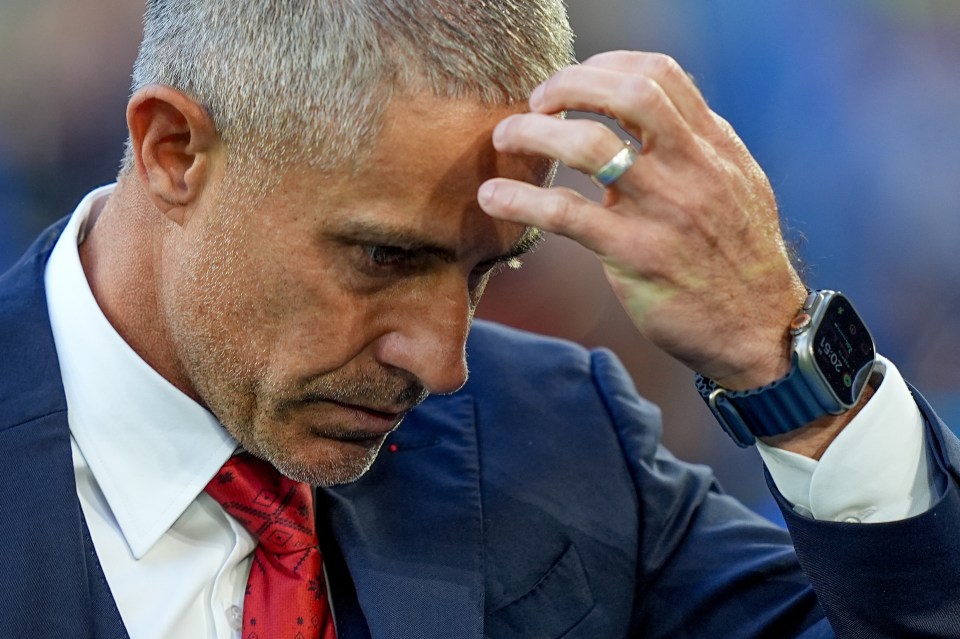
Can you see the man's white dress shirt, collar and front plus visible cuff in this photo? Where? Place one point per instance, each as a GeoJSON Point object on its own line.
{"type": "Point", "coordinates": [176, 563]}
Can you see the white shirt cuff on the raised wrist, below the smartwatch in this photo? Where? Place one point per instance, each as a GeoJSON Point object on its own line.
{"type": "Point", "coordinates": [876, 470]}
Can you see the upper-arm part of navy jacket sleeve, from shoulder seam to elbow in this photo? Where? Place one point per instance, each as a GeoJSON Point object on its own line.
{"type": "Point", "coordinates": [709, 567]}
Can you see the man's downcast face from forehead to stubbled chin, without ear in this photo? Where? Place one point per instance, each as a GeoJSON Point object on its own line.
{"type": "Point", "coordinates": [311, 324]}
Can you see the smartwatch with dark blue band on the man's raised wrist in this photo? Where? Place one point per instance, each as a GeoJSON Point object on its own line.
{"type": "Point", "coordinates": [832, 359]}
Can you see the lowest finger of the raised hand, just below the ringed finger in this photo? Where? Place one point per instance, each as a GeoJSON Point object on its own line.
{"type": "Point", "coordinates": [558, 210]}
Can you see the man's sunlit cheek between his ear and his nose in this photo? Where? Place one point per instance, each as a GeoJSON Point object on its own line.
{"type": "Point", "coordinates": [278, 312]}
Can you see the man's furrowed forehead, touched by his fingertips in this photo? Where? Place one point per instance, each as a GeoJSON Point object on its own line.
{"type": "Point", "coordinates": [422, 177]}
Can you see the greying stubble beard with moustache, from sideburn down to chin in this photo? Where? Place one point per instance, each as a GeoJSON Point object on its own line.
{"type": "Point", "coordinates": [236, 387]}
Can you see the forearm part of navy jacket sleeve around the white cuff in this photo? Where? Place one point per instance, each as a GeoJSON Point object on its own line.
{"type": "Point", "coordinates": [896, 579]}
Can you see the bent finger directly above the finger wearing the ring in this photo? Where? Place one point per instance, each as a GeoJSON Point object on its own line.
{"type": "Point", "coordinates": [637, 102]}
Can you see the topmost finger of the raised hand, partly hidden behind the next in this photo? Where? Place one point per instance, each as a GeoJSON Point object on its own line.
{"type": "Point", "coordinates": [665, 71]}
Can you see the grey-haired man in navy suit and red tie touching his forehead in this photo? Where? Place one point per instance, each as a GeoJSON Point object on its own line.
{"type": "Point", "coordinates": [313, 199]}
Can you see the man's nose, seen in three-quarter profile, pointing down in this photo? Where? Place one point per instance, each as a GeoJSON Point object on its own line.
{"type": "Point", "coordinates": [427, 338]}
